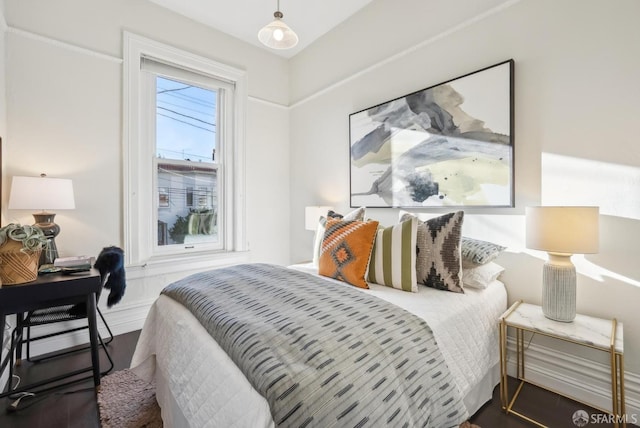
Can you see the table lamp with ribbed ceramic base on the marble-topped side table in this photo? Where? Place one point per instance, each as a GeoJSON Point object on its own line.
{"type": "Point", "coordinates": [561, 232]}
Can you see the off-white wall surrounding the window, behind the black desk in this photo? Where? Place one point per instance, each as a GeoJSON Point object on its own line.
{"type": "Point", "coordinates": [64, 115]}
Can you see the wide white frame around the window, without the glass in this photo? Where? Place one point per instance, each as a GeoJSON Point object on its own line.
{"type": "Point", "coordinates": [140, 198]}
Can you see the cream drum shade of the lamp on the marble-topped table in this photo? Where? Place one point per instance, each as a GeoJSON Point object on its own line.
{"type": "Point", "coordinates": [567, 230]}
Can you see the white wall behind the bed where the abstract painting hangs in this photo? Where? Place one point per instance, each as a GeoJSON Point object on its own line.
{"type": "Point", "coordinates": [577, 100]}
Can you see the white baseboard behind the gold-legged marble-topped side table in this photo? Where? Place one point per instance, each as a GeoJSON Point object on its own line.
{"type": "Point", "coordinates": [583, 379]}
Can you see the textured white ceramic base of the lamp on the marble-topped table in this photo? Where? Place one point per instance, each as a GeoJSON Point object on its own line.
{"type": "Point", "coordinates": [559, 288]}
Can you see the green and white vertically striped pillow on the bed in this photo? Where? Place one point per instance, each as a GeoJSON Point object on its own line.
{"type": "Point", "coordinates": [393, 260]}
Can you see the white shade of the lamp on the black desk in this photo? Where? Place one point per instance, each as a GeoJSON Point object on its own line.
{"type": "Point", "coordinates": [41, 193]}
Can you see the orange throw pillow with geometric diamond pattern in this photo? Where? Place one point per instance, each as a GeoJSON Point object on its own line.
{"type": "Point", "coordinates": [346, 249]}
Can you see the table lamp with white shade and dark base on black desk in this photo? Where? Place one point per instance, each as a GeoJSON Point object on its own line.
{"type": "Point", "coordinates": [43, 193]}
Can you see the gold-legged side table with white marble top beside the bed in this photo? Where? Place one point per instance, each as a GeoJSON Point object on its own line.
{"type": "Point", "coordinates": [596, 333]}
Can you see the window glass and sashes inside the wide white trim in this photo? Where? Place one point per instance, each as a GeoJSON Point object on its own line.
{"type": "Point", "coordinates": [188, 110]}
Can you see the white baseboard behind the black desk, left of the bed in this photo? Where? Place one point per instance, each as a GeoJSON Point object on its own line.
{"type": "Point", "coordinates": [121, 319]}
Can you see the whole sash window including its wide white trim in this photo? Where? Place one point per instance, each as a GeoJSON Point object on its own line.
{"type": "Point", "coordinates": [184, 173]}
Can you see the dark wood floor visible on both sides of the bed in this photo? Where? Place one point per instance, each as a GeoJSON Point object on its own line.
{"type": "Point", "coordinates": [60, 408]}
